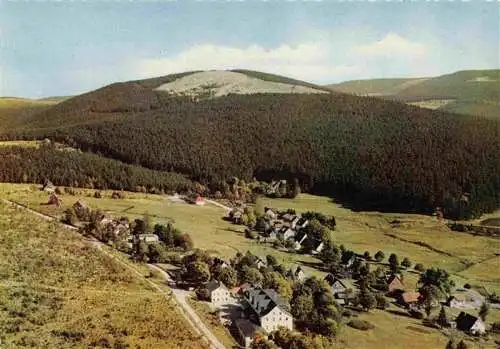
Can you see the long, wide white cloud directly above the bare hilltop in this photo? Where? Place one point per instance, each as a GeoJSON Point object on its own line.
{"type": "Point", "coordinates": [309, 61]}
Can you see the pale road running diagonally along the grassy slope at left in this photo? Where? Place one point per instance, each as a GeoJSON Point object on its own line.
{"type": "Point", "coordinates": [179, 295]}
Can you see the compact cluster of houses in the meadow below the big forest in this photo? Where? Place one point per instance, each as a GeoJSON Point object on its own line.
{"type": "Point", "coordinates": [283, 226]}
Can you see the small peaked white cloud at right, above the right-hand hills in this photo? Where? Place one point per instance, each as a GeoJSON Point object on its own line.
{"type": "Point", "coordinates": [391, 45]}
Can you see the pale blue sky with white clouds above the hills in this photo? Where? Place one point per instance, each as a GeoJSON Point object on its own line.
{"type": "Point", "coordinates": [65, 48]}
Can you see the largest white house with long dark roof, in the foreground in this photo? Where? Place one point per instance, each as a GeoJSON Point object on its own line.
{"type": "Point", "coordinates": [270, 310]}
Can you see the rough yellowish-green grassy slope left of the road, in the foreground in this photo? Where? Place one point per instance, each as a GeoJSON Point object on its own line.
{"type": "Point", "coordinates": [57, 291]}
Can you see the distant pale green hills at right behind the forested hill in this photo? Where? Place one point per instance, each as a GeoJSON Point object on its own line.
{"type": "Point", "coordinates": [474, 92]}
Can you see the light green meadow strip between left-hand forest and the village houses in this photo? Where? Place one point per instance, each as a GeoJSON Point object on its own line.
{"type": "Point", "coordinates": [204, 223]}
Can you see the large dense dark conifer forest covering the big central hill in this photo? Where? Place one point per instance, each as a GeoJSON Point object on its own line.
{"type": "Point", "coordinates": [370, 153]}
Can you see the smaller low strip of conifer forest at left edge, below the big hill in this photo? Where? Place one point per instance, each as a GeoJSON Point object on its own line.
{"type": "Point", "coordinates": [77, 169]}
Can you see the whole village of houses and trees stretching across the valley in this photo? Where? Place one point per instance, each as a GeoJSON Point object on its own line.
{"type": "Point", "coordinates": [255, 296]}
